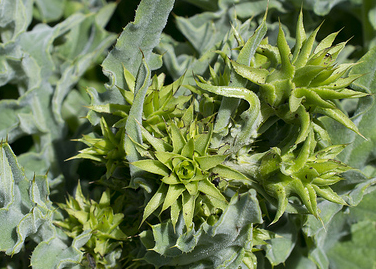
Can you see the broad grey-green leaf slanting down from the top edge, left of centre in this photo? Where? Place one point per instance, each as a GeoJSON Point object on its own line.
{"type": "Point", "coordinates": [150, 20]}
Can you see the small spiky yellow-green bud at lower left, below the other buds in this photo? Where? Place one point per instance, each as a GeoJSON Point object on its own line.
{"type": "Point", "coordinates": [105, 243]}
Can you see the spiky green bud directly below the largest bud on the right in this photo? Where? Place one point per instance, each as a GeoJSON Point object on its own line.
{"type": "Point", "coordinates": [302, 173]}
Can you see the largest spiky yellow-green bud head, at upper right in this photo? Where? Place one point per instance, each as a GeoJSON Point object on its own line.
{"type": "Point", "coordinates": [295, 86]}
